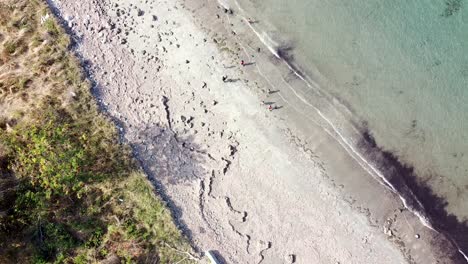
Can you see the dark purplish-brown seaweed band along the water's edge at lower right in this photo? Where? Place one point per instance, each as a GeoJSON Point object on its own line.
{"type": "Point", "coordinates": [418, 195]}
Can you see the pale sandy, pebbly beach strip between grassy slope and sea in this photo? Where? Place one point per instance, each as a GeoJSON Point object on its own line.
{"type": "Point", "coordinates": [251, 184]}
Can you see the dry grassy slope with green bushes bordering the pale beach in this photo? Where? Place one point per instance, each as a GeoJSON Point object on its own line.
{"type": "Point", "coordinates": [69, 191]}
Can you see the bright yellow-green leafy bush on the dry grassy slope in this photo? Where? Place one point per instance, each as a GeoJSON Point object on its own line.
{"type": "Point", "coordinates": [51, 163]}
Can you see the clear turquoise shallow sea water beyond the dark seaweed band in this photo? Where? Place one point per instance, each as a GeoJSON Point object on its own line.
{"type": "Point", "coordinates": [400, 66]}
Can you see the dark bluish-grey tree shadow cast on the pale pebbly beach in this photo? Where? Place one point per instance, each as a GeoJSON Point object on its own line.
{"type": "Point", "coordinates": [169, 159]}
